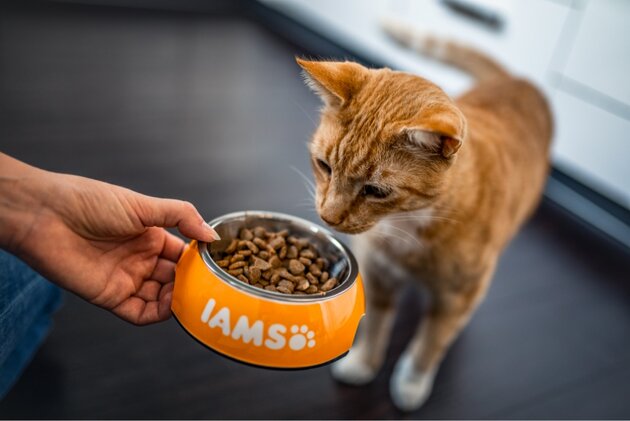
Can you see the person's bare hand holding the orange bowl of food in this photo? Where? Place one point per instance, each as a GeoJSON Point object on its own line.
{"type": "Point", "coordinates": [103, 242]}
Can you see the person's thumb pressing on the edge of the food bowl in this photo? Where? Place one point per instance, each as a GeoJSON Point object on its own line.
{"type": "Point", "coordinates": [168, 213]}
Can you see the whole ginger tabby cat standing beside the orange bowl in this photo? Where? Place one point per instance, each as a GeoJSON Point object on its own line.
{"type": "Point", "coordinates": [433, 188]}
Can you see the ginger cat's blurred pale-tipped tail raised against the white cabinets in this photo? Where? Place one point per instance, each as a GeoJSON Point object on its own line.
{"type": "Point", "coordinates": [470, 60]}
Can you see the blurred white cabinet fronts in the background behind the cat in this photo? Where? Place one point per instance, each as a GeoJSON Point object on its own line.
{"type": "Point", "coordinates": [577, 51]}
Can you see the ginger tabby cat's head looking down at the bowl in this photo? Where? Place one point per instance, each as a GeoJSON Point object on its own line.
{"type": "Point", "coordinates": [385, 142]}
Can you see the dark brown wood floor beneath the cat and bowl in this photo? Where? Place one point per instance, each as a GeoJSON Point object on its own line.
{"type": "Point", "coordinates": [213, 110]}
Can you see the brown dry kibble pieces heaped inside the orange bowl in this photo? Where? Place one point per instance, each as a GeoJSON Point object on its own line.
{"type": "Point", "coordinates": [277, 261]}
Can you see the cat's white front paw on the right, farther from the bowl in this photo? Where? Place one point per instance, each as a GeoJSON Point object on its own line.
{"type": "Point", "coordinates": [409, 388]}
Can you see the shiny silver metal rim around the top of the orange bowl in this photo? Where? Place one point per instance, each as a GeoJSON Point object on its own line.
{"type": "Point", "coordinates": [344, 284]}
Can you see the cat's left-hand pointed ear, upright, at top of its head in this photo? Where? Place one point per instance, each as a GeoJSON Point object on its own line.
{"type": "Point", "coordinates": [335, 82]}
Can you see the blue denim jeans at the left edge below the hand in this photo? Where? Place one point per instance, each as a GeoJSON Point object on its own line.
{"type": "Point", "coordinates": [27, 302]}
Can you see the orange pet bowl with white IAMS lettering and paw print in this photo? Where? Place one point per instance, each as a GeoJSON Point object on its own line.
{"type": "Point", "coordinates": [266, 328]}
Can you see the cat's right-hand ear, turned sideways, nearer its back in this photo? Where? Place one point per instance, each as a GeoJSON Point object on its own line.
{"type": "Point", "coordinates": [441, 129]}
